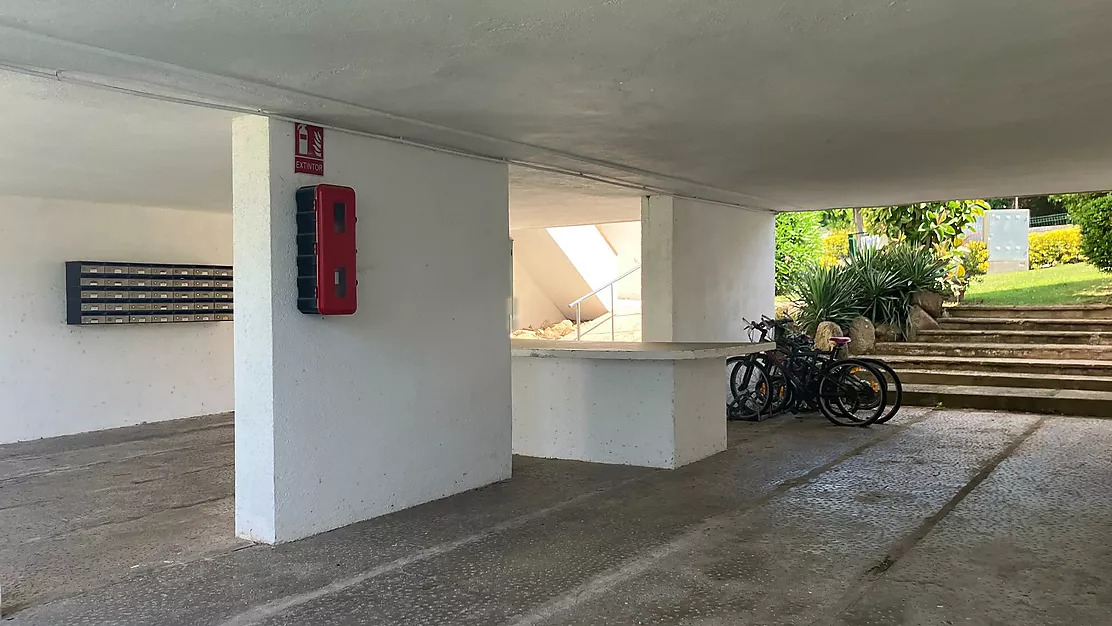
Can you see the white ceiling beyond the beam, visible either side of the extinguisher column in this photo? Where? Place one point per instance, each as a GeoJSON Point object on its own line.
{"type": "Point", "coordinates": [78, 143]}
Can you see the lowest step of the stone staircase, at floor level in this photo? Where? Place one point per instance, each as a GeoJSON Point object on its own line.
{"type": "Point", "coordinates": [1060, 402]}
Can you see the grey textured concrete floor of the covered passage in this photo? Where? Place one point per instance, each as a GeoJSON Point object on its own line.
{"type": "Point", "coordinates": [945, 518]}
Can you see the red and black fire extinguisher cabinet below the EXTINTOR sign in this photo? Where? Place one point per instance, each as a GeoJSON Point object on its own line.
{"type": "Point", "coordinates": [326, 251]}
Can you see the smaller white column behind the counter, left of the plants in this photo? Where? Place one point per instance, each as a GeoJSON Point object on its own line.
{"type": "Point", "coordinates": [704, 269]}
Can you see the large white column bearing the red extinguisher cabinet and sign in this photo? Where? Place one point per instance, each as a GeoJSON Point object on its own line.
{"type": "Point", "coordinates": [344, 419]}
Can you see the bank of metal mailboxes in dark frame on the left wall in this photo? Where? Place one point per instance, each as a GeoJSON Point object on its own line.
{"type": "Point", "coordinates": [103, 293]}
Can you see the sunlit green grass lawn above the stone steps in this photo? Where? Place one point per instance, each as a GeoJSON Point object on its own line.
{"type": "Point", "coordinates": [1063, 285]}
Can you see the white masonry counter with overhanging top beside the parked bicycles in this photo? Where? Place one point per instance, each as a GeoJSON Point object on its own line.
{"type": "Point", "coordinates": [654, 405]}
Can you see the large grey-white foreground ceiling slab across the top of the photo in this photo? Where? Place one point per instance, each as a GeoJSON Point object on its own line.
{"type": "Point", "coordinates": [759, 103]}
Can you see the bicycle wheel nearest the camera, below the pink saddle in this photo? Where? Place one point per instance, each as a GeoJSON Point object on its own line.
{"type": "Point", "coordinates": [852, 393]}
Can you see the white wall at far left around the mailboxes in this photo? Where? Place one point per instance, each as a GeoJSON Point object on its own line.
{"type": "Point", "coordinates": [58, 380]}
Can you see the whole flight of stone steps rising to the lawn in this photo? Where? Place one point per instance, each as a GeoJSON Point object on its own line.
{"type": "Point", "coordinates": [1051, 360]}
